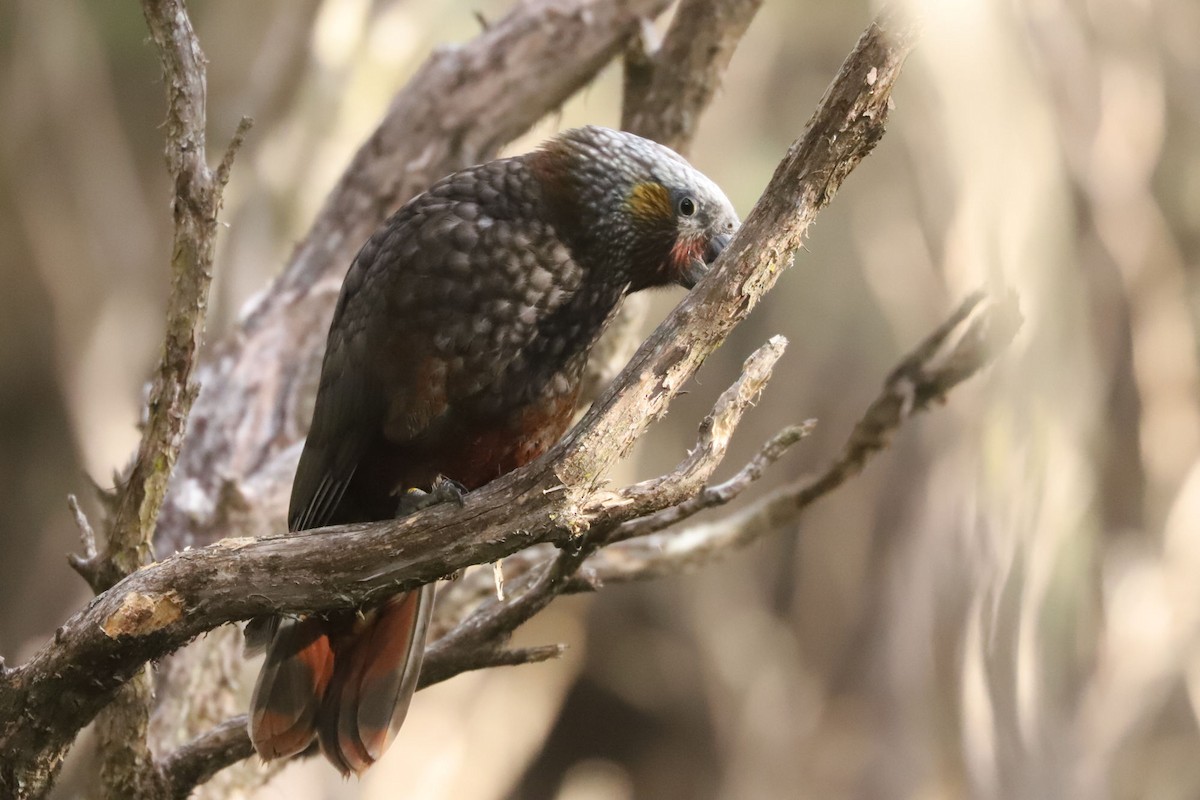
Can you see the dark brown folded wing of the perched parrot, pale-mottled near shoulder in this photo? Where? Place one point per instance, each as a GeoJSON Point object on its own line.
{"type": "Point", "coordinates": [435, 310]}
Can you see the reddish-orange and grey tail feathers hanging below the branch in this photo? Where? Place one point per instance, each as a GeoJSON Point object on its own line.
{"type": "Point", "coordinates": [345, 684]}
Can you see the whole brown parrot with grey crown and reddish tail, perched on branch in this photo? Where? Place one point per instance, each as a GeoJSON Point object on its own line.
{"type": "Point", "coordinates": [457, 351]}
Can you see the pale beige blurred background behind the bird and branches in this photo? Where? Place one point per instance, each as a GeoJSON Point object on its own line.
{"type": "Point", "coordinates": [1006, 605]}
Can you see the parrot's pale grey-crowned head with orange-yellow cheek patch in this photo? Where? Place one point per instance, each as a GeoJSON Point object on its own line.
{"type": "Point", "coordinates": [633, 208]}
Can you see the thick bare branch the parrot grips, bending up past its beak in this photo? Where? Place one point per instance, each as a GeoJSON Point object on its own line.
{"type": "Point", "coordinates": [556, 500]}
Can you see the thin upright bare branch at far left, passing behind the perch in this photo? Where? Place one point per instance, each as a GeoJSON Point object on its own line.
{"type": "Point", "coordinates": [127, 766]}
